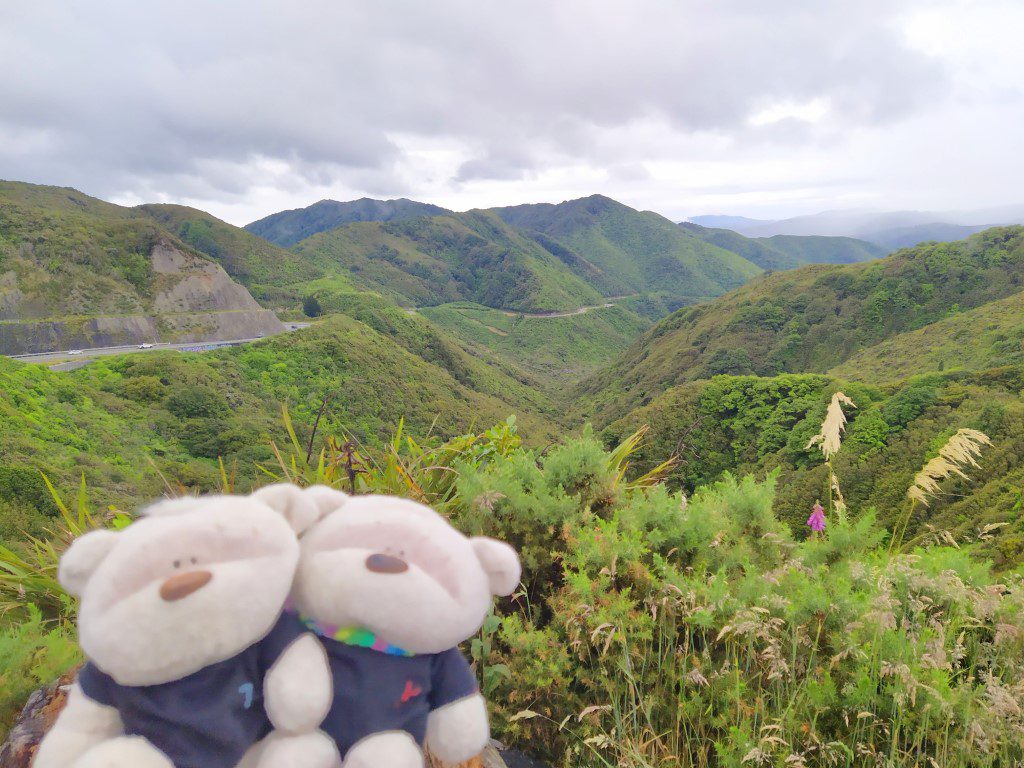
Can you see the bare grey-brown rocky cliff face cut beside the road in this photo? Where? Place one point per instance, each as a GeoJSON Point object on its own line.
{"type": "Point", "coordinates": [191, 300]}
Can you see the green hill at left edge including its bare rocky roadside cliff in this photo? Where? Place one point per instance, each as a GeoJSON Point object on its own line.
{"type": "Point", "coordinates": [78, 272]}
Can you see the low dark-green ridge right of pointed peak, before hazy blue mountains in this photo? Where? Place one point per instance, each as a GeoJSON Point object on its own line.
{"type": "Point", "coordinates": [789, 251]}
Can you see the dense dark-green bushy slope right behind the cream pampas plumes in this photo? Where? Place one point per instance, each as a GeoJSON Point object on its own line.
{"type": "Point", "coordinates": [750, 424]}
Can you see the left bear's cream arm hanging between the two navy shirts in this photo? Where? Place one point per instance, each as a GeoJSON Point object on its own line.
{"type": "Point", "coordinates": [298, 690]}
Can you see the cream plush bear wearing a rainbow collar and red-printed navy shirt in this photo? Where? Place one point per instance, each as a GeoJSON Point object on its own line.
{"type": "Point", "coordinates": [393, 589]}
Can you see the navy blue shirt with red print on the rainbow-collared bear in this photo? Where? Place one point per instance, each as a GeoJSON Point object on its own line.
{"type": "Point", "coordinates": [375, 692]}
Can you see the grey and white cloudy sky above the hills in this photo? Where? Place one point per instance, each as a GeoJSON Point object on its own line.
{"type": "Point", "coordinates": [243, 108]}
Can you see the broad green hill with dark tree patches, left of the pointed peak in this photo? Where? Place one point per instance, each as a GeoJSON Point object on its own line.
{"type": "Point", "coordinates": [429, 262]}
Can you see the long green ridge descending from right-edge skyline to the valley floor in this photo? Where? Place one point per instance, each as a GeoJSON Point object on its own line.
{"type": "Point", "coordinates": [810, 320]}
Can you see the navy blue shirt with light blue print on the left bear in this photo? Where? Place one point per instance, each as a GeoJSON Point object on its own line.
{"type": "Point", "coordinates": [208, 719]}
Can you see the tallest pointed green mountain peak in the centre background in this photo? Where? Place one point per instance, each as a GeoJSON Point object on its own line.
{"type": "Point", "coordinates": [632, 251]}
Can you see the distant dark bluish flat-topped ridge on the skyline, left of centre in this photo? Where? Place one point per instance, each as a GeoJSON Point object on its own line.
{"type": "Point", "coordinates": [288, 228]}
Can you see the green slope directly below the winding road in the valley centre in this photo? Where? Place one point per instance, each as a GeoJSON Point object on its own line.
{"type": "Point", "coordinates": [560, 351]}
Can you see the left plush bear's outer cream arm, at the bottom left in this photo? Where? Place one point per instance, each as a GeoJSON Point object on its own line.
{"type": "Point", "coordinates": [83, 724]}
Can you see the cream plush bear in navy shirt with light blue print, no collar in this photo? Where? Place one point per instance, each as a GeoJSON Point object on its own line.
{"type": "Point", "coordinates": [190, 660]}
